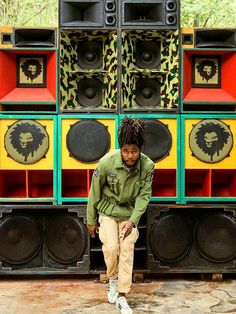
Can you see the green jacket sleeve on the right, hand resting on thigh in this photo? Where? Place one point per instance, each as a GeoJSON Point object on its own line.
{"type": "Point", "coordinates": [142, 200]}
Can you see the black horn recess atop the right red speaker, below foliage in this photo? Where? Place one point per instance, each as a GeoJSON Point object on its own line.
{"type": "Point", "coordinates": [215, 38]}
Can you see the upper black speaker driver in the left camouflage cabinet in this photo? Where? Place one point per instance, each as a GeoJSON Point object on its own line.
{"type": "Point", "coordinates": [90, 55]}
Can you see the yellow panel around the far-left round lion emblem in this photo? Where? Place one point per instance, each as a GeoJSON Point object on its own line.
{"type": "Point", "coordinates": [6, 162]}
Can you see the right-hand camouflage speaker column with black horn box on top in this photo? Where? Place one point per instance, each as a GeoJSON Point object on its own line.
{"type": "Point", "coordinates": [149, 56]}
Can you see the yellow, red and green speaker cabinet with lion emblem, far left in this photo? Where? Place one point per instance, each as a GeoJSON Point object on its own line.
{"type": "Point", "coordinates": [28, 159]}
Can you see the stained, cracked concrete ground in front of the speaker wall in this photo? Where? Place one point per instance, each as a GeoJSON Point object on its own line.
{"type": "Point", "coordinates": [78, 294]}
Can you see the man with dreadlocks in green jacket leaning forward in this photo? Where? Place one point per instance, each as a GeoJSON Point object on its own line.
{"type": "Point", "coordinates": [119, 195]}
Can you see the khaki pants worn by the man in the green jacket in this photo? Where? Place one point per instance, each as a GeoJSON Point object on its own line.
{"type": "Point", "coordinates": [118, 252]}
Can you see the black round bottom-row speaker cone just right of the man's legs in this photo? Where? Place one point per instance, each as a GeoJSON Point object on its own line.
{"type": "Point", "coordinates": [170, 238]}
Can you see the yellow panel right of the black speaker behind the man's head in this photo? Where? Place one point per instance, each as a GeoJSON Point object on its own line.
{"type": "Point", "coordinates": [170, 161]}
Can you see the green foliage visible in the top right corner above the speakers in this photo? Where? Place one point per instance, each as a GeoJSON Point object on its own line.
{"type": "Point", "coordinates": [208, 13]}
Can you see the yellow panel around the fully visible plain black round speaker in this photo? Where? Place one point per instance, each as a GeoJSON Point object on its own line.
{"type": "Point", "coordinates": [68, 162]}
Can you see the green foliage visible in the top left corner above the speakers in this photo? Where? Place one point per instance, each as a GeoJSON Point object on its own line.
{"type": "Point", "coordinates": [29, 12]}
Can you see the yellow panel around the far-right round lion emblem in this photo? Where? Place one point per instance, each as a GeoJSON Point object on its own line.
{"type": "Point", "coordinates": [192, 162]}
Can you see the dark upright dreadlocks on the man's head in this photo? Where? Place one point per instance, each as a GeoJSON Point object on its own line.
{"type": "Point", "coordinates": [131, 132]}
